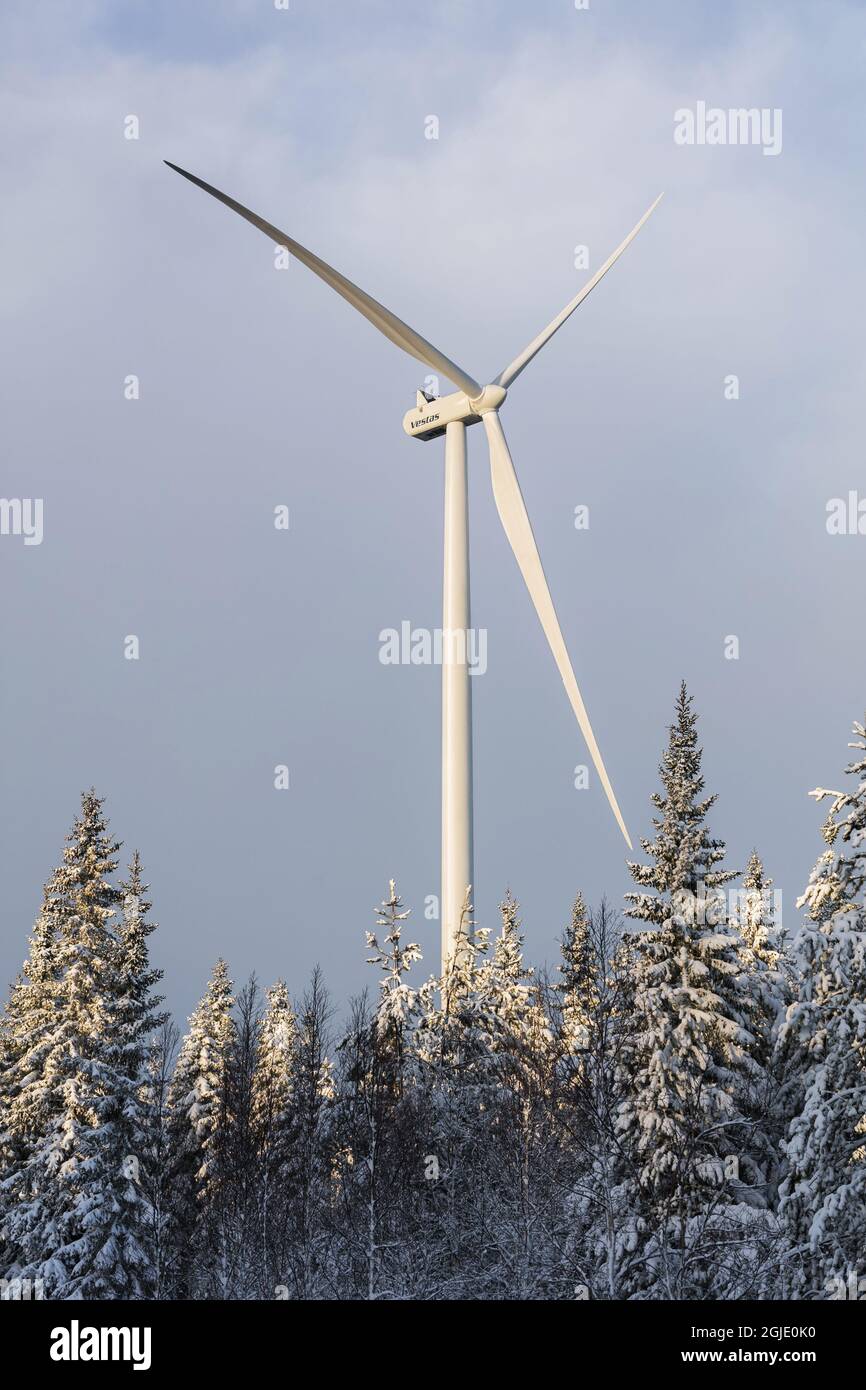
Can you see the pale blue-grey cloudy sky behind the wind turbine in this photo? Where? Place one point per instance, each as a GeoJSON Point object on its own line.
{"type": "Point", "coordinates": [261, 389]}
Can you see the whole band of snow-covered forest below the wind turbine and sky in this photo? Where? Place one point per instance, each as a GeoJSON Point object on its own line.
{"type": "Point", "coordinates": [678, 1111]}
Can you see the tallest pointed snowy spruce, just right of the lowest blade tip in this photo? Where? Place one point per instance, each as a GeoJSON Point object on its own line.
{"type": "Point", "coordinates": [690, 1052]}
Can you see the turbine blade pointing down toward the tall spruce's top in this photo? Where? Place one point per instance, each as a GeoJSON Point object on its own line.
{"type": "Point", "coordinates": [519, 530]}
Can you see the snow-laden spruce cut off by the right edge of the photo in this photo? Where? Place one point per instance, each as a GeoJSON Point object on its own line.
{"type": "Point", "coordinates": [824, 1195]}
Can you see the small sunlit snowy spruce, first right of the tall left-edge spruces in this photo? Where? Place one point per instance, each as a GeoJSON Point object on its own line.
{"type": "Point", "coordinates": [199, 1124]}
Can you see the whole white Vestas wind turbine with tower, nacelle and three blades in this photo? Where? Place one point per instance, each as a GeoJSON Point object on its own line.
{"type": "Point", "coordinates": [451, 416]}
